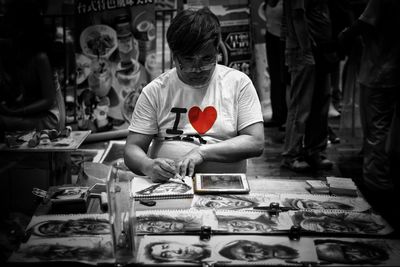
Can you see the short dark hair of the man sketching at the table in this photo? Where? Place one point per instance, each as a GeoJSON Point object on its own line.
{"type": "Point", "coordinates": [192, 30]}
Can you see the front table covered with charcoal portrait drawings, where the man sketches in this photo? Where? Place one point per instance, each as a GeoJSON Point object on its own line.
{"type": "Point", "coordinates": [277, 223]}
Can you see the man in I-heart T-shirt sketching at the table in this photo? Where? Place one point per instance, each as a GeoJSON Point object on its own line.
{"type": "Point", "coordinates": [199, 116]}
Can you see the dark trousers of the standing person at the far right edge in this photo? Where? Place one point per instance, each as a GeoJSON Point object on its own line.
{"type": "Point", "coordinates": [379, 183]}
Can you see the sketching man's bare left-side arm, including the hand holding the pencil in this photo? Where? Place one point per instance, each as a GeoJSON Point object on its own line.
{"type": "Point", "coordinates": [138, 162]}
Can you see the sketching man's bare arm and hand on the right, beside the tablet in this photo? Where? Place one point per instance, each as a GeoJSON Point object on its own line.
{"type": "Point", "coordinates": [249, 143]}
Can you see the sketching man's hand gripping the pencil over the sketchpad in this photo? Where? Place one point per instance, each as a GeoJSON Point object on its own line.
{"type": "Point", "coordinates": [160, 169]}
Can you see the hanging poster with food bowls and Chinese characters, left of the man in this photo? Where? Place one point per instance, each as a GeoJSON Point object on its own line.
{"type": "Point", "coordinates": [115, 58]}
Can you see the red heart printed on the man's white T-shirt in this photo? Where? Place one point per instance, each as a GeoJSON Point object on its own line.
{"type": "Point", "coordinates": [202, 121]}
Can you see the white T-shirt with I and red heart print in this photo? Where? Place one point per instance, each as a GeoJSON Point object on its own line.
{"type": "Point", "coordinates": [172, 110]}
